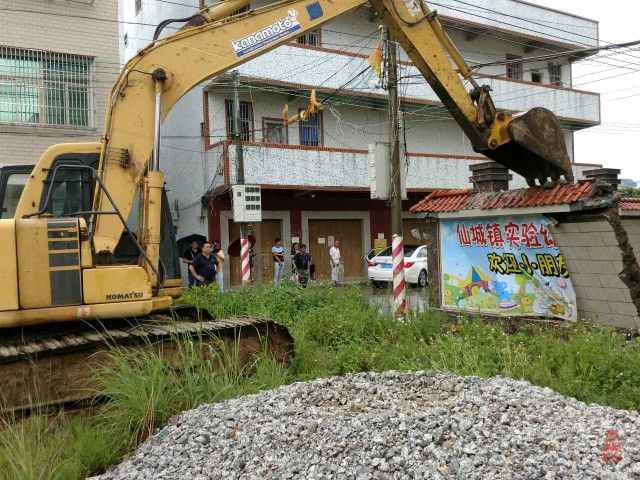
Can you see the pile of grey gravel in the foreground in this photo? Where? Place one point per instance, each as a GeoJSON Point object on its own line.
{"type": "Point", "coordinates": [391, 425]}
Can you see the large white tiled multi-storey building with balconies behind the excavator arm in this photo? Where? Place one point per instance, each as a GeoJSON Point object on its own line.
{"type": "Point", "coordinates": [314, 176]}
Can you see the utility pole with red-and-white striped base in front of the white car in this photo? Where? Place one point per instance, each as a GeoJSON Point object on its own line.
{"type": "Point", "coordinates": [397, 245]}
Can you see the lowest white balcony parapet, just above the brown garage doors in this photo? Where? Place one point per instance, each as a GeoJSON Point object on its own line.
{"type": "Point", "coordinates": [309, 168]}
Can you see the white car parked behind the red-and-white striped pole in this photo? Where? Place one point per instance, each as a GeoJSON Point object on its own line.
{"type": "Point", "coordinates": [415, 266]}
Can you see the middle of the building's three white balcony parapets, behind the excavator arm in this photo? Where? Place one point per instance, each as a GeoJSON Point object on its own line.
{"type": "Point", "coordinates": [313, 66]}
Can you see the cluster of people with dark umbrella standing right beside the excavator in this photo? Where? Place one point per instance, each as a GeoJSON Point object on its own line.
{"type": "Point", "coordinates": [205, 264]}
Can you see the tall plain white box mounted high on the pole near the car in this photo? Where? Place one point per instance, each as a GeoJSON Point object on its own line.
{"type": "Point", "coordinates": [379, 166]}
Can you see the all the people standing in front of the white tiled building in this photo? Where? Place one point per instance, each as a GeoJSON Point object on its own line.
{"type": "Point", "coordinates": [205, 263]}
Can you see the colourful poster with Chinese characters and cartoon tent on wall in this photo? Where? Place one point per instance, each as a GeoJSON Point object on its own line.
{"type": "Point", "coordinates": [505, 265]}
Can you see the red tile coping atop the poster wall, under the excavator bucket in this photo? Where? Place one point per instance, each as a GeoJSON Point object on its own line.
{"type": "Point", "coordinates": [456, 200]}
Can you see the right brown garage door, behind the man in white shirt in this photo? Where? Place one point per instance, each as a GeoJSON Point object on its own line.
{"type": "Point", "coordinates": [349, 234]}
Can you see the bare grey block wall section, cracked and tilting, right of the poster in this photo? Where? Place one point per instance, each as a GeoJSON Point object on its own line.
{"type": "Point", "coordinates": [594, 260]}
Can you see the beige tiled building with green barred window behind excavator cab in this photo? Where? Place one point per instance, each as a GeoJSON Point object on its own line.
{"type": "Point", "coordinates": [58, 62]}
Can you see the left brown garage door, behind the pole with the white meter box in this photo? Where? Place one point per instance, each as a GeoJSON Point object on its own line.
{"type": "Point", "coordinates": [265, 233]}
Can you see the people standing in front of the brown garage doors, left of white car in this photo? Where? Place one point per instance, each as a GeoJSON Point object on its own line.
{"type": "Point", "coordinates": [302, 268]}
